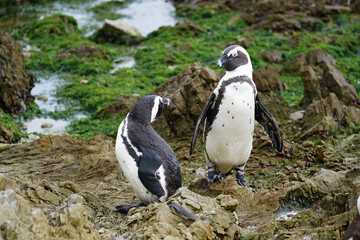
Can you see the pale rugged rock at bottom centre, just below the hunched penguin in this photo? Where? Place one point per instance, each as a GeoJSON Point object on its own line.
{"type": "Point", "coordinates": [158, 221]}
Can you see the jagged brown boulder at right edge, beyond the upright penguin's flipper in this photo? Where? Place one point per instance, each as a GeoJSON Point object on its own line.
{"type": "Point", "coordinates": [330, 101]}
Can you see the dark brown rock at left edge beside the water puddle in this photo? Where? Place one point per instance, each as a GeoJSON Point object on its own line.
{"type": "Point", "coordinates": [15, 82]}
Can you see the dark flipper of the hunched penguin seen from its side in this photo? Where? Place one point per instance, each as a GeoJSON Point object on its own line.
{"type": "Point", "coordinates": [148, 166]}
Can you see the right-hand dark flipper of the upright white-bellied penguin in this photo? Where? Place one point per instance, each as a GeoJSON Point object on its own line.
{"type": "Point", "coordinates": [264, 117]}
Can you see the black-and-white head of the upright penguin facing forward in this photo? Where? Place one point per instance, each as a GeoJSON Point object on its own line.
{"type": "Point", "coordinates": [233, 57]}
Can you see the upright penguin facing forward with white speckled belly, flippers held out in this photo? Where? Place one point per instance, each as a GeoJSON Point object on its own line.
{"type": "Point", "coordinates": [229, 118]}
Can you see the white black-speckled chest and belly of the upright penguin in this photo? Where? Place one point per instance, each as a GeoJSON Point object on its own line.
{"type": "Point", "coordinates": [229, 141]}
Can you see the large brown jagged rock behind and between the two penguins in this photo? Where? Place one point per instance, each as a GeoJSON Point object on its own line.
{"type": "Point", "coordinates": [189, 92]}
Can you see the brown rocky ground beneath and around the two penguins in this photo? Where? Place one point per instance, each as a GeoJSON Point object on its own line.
{"type": "Point", "coordinates": [63, 187]}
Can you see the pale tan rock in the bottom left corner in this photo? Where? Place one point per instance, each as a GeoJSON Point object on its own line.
{"type": "Point", "coordinates": [19, 220]}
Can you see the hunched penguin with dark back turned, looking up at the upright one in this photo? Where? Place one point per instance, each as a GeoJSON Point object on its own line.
{"type": "Point", "coordinates": [147, 161]}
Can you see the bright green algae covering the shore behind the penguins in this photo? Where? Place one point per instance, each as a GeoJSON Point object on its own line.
{"type": "Point", "coordinates": [201, 37]}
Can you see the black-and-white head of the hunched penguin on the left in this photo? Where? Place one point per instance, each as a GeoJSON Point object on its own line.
{"type": "Point", "coordinates": [149, 108]}
